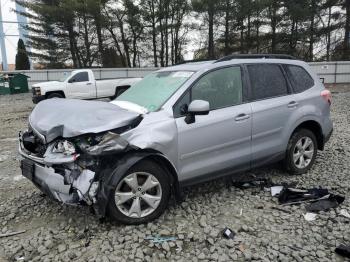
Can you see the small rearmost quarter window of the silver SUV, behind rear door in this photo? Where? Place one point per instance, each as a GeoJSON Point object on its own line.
{"type": "Point", "coordinates": [301, 80]}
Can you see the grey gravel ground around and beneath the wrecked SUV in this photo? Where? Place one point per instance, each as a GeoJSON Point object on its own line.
{"type": "Point", "coordinates": [55, 232]}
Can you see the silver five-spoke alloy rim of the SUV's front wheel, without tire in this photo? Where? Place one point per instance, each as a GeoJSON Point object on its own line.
{"type": "Point", "coordinates": [138, 194]}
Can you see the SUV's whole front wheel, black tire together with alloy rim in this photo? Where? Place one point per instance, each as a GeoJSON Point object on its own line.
{"type": "Point", "coordinates": [158, 194]}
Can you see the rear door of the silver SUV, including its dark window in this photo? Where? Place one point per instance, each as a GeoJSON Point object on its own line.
{"type": "Point", "coordinates": [272, 111]}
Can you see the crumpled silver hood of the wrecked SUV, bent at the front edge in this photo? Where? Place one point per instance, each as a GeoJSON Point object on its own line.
{"type": "Point", "coordinates": [69, 117]}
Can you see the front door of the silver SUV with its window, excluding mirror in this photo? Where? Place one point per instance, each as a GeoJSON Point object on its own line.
{"type": "Point", "coordinates": [220, 141]}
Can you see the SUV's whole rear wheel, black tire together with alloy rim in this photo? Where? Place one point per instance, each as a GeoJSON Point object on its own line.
{"type": "Point", "coordinates": [301, 152]}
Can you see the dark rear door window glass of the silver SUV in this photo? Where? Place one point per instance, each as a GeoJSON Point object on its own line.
{"type": "Point", "coordinates": [267, 81]}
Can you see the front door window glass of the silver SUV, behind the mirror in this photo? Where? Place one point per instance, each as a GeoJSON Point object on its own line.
{"type": "Point", "coordinates": [221, 88]}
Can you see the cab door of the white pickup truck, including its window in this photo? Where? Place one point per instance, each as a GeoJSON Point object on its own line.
{"type": "Point", "coordinates": [80, 86]}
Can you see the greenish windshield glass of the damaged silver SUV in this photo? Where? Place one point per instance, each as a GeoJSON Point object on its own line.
{"type": "Point", "coordinates": [155, 89]}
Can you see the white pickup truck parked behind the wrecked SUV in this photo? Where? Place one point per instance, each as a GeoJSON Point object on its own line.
{"type": "Point", "coordinates": [81, 84]}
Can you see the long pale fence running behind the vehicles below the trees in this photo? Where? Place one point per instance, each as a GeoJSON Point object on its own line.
{"type": "Point", "coordinates": [330, 72]}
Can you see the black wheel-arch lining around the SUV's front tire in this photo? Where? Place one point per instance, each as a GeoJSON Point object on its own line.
{"type": "Point", "coordinates": [110, 177]}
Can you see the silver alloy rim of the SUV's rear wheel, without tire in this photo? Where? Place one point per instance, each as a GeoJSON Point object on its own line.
{"type": "Point", "coordinates": [303, 152]}
